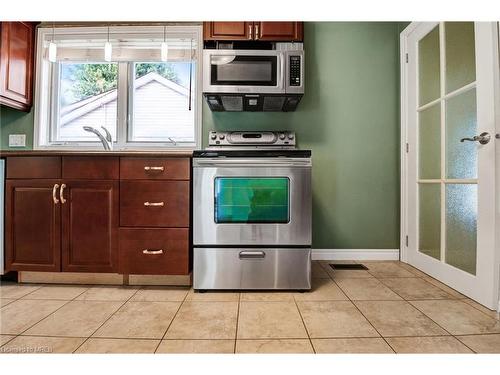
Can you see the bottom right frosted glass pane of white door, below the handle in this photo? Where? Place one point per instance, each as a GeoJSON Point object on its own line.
{"type": "Point", "coordinates": [461, 226]}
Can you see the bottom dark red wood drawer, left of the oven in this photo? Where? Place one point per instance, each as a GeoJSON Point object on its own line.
{"type": "Point", "coordinates": [154, 251]}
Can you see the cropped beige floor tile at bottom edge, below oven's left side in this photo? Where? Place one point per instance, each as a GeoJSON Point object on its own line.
{"type": "Point", "coordinates": [196, 346]}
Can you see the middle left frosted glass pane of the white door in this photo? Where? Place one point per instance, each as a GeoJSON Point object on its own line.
{"type": "Point", "coordinates": [429, 142]}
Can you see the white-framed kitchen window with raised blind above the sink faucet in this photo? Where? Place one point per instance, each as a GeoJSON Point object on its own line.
{"type": "Point", "coordinates": [147, 96]}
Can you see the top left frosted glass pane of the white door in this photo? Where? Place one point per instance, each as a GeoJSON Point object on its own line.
{"type": "Point", "coordinates": [428, 67]}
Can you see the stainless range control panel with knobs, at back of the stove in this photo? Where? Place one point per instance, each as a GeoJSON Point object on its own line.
{"type": "Point", "coordinates": [251, 138]}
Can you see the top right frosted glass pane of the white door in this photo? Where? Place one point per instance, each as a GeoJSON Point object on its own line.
{"type": "Point", "coordinates": [460, 54]}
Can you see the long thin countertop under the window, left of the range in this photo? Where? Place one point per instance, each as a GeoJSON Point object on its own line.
{"type": "Point", "coordinates": [145, 153]}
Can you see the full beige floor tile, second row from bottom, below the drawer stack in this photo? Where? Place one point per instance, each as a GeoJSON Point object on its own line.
{"type": "Point", "coordinates": [145, 320]}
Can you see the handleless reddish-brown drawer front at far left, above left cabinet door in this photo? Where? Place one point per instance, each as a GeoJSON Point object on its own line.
{"type": "Point", "coordinates": [34, 167]}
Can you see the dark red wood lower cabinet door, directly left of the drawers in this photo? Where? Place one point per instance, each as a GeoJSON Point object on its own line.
{"type": "Point", "coordinates": [90, 226]}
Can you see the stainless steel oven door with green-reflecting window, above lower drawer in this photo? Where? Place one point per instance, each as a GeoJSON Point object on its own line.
{"type": "Point", "coordinates": [261, 201]}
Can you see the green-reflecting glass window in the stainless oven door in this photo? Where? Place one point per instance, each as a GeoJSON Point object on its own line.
{"type": "Point", "coordinates": [252, 200]}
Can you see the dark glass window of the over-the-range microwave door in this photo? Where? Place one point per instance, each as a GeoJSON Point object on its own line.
{"type": "Point", "coordinates": [244, 70]}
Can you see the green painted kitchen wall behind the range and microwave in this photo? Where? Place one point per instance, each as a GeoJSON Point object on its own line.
{"type": "Point", "coordinates": [349, 118]}
